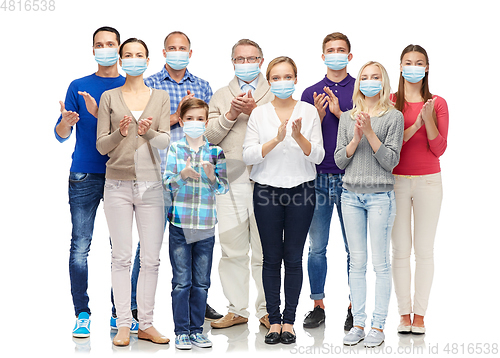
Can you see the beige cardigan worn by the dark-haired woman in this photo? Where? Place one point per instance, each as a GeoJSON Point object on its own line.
{"type": "Point", "coordinates": [130, 157]}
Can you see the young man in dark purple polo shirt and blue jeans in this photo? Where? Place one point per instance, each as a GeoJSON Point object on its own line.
{"type": "Point", "coordinates": [331, 96]}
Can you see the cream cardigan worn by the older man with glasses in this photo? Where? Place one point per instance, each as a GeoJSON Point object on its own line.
{"type": "Point", "coordinates": [229, 135]}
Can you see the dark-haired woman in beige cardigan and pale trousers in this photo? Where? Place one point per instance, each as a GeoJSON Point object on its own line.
{"type": "Point", "coordinates": [133, 121]}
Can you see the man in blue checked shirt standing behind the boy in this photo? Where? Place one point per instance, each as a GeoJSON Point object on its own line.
{"type": "Point", "coordinates": [181, 85]}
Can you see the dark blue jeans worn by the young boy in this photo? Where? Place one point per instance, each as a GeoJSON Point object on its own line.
{"type": "Point", "coordinates": [191, 267]}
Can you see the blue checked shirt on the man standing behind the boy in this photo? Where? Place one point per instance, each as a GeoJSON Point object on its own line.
{"type": "Point", "coordinates": [177, 91]}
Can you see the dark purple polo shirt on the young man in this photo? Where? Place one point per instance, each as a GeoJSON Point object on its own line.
{"type": "Point", "coordinates": [343, 91]}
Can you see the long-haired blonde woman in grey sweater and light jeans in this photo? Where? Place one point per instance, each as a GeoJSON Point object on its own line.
{"type": "Point", "coordinates": [369, 141]}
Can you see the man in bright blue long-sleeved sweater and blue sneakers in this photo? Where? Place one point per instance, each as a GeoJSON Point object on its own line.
{"type": "Point", "coordinates": [88, 168]}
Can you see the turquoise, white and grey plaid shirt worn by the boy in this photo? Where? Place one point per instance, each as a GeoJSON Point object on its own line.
{"type": "Point", "coordinates": [193, 203]}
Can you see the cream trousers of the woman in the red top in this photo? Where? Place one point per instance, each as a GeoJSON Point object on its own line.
{"type": "Point", "coordinates": [423, 195]}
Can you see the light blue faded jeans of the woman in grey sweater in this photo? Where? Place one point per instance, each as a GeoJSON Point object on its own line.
{"type": "Point", "coordinates": [377, 211]}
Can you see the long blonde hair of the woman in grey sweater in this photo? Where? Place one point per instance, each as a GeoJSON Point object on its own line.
{"type": "Point", "coordinates": [358, 98]}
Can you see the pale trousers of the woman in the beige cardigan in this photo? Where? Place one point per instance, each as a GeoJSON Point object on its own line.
{"type": "Point", "coordinates": [121, 200]}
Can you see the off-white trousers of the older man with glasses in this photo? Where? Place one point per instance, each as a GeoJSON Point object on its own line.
{"type": "Point", "coordinates": [238, 234]}
